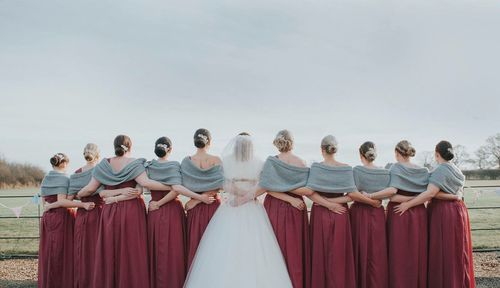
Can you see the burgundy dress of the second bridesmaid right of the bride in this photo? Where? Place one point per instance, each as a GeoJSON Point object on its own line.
{"type": "Point", "coordinates": [331, 253]}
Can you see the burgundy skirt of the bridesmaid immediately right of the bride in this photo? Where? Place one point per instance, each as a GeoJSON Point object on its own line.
{"type": "Point", "coordinates": [290, 226]}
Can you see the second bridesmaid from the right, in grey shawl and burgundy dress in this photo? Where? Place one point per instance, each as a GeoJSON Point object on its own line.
{"type": "Point", "coordinates": [407, 233]}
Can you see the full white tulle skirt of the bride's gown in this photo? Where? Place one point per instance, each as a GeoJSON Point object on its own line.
{"type": "Point", "coordinates": [239, 249]}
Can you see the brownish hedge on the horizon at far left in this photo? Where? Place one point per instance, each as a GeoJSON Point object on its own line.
{"type": "Point", "coordinates": [19, 175]}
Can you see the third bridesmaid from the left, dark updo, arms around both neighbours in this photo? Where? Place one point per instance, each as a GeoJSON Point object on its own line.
{"type": "Point", "coordinates": [121, 251]}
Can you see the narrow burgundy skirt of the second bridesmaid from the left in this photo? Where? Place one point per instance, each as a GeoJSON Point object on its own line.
{"type": "Point", "coordinates": [86, 231]}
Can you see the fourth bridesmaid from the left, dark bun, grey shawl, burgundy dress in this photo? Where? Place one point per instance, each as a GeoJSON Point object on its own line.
{"type": "Point", "coordinates": [167, 221]}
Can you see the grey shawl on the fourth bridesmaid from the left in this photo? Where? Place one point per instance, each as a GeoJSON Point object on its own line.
{"type": "Point", "coordinates": [168, 172]}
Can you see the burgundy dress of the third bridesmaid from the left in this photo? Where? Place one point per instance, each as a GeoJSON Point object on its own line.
{"type": "Point", "coordinates": [121, 252]}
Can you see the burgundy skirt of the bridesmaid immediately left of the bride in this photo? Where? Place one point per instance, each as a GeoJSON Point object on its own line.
{"type": "Point", "coordinates": [197, 222]}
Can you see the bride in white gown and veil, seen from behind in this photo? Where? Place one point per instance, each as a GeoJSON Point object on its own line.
{"type": "Point", "coordinates": [238, 248]}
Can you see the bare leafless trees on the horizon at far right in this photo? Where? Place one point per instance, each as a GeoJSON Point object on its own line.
{"type": "Point", "coordinates": [487, 156]}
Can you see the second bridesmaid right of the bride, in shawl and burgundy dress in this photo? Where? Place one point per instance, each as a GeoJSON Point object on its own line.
{"type": "Point", "coordinates": [331, 241]}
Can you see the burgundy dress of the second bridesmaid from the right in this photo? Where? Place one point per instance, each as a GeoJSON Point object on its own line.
{"type": "Point", "coordinates": [407, 242]}
